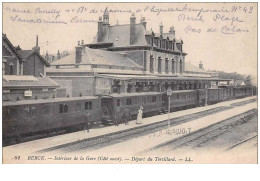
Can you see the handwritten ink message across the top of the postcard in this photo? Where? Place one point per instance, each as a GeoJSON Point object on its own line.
{"type": "Point", "coordinates": [229, 19]}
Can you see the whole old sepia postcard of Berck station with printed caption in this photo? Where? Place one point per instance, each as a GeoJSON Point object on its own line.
{"type": "Point", "coordinates": [123, 83]}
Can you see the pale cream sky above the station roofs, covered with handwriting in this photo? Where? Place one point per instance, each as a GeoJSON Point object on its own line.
{"type": "Point", "coordinates": [221, 35]}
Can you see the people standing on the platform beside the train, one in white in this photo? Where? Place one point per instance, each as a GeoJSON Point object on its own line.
{"type": "Point", "coordinates": [118, 117]}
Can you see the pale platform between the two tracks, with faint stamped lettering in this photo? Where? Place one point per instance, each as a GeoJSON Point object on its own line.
{"type": "Point", "coordinates": [145, 144]}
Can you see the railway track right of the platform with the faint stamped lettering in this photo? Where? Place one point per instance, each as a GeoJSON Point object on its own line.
{"type": "Point", "coordinates": [196, 139]}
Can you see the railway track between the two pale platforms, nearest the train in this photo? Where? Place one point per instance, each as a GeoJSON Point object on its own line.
{"type": "Point", "coordinates": [117, 137]}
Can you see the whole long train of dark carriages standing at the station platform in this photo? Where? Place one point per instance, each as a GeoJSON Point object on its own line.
{"type": "Point", "coordinates": [33, 117]}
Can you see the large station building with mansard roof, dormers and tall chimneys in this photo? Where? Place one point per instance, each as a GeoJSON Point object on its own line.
{"type": "Point", "coordinates": [128, 58]}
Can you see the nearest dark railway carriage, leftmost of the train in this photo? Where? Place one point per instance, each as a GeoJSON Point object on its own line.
{"type": "Point", "coordinates": [35, 116]}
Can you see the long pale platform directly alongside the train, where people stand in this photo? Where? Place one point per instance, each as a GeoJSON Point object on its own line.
{"type": "Point", "coordinates": [37, 145]}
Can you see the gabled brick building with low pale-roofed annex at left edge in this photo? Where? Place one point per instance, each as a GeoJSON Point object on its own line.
{"type": "Point", "coordinates": [24, 74]}
